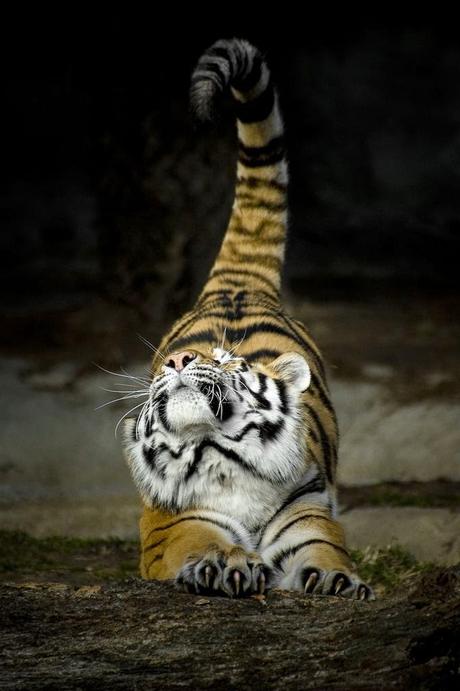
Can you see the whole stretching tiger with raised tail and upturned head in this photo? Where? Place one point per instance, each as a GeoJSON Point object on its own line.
{"type": "Point", "coordinates": [234, 452]}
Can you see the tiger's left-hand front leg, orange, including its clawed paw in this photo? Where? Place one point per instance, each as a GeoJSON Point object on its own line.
{"type": "Point", "coordinates": [203, 551]}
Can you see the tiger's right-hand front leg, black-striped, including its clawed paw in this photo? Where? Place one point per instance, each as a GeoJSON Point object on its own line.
{"type": "Point", "coordinates": [305, 548]}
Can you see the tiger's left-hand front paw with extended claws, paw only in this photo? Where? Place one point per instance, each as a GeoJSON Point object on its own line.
{"type": "Point", "coordinates": [233, 572]}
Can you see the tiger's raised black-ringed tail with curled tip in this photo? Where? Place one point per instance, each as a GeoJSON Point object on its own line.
{"type": "Point", "coordinates": [252, 252]}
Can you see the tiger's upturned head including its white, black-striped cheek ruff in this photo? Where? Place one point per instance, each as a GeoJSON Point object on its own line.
{"type": "Point", "coordinates": [214, 414]}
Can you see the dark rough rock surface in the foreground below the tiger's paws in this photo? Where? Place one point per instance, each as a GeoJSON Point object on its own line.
{"type": "Point", "coordinates": [148, 636]}
